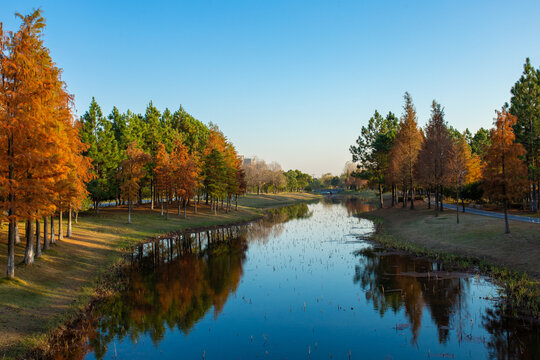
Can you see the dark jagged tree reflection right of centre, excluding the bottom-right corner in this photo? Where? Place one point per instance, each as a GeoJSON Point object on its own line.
{"type": "Point", "coordinates": [412, 291]}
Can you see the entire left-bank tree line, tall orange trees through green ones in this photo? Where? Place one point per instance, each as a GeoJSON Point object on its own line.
{"type": "Point", "coordinates": [52, 162]}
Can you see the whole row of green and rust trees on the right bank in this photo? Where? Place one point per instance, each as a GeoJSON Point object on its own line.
{"type": "Point", "coordinates": [500, 165]}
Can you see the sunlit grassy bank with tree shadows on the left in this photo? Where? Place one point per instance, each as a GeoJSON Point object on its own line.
{"type": "Point", "coordinates": [61, 282]}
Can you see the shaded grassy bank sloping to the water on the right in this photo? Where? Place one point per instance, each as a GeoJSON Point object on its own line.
{"type": "Point", "coordinates": [477, 241]}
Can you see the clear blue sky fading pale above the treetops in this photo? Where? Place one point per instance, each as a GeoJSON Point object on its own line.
{"type": "Point", "coordinates": [291, 81]}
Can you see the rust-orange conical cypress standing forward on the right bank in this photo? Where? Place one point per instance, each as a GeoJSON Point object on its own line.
{"type": "Point", "coordinates": [504, 173]}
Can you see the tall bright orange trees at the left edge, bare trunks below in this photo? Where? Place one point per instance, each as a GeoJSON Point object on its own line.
{"type": "Point", "coordinates": [42, 167]}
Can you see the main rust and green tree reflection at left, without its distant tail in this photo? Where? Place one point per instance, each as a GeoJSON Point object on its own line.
{"type": "Point", "coordinates": [174, 294]}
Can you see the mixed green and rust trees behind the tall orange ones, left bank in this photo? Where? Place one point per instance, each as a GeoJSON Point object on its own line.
{"type": "Point", "coordinates": [162, 155]}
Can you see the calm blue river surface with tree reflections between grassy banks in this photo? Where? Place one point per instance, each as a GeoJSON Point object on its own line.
{"type": "Point", "coordinates": [301, 284]}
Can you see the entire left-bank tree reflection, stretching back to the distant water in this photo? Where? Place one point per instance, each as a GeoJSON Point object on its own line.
{"type": "Point", "coordinates": [174, 282]}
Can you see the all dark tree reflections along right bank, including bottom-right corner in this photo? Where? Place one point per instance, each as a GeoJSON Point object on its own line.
{"type": "Point", "coordinates": [446, 297]}
